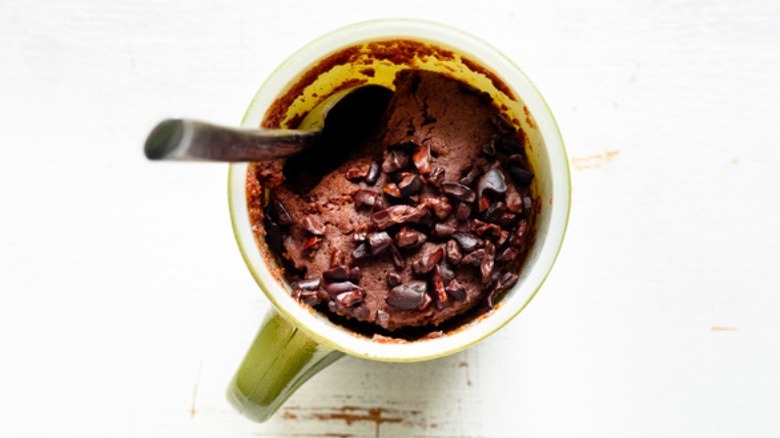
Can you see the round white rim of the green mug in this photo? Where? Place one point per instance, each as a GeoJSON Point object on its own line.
{"type": "Point", "coordinates": [317, 326]}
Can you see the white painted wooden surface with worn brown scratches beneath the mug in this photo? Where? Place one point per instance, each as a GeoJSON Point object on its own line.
{"type": "Point", "coordinates": [125, 306]}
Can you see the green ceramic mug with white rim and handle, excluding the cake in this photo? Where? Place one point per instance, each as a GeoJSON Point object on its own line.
{"type": "Point", "coordinates": [295, 342]}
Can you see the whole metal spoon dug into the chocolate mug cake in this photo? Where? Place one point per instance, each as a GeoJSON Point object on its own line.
{"type": "Point", "coordinates": [347, 110]}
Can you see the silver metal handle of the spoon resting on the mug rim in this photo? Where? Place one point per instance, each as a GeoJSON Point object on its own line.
{"type": "Point", "coordinates": [192, 140]}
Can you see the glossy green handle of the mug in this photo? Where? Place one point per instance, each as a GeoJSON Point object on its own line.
{"type": "Point", "coordinates": [281, 359]}
